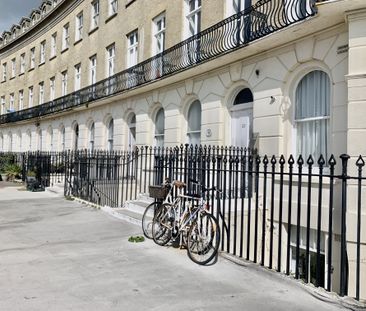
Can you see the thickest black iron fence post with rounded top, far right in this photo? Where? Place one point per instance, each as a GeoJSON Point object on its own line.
{"type": "Point", "coordinates": [344, 260]}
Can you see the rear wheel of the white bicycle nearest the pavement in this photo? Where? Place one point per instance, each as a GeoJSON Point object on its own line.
{"type": "Point", "coordinates": [163, 223]}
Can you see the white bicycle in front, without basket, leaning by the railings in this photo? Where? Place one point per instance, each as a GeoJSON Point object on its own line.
{"type": "Point", "coordinates": [191, 221]}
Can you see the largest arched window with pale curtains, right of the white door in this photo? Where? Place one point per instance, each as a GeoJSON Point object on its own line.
{"type": "Point", "coordinates": [312, 113]}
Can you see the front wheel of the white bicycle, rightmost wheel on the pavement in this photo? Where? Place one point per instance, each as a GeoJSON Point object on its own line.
{"type": "Point", "coordinates": [203, 239]}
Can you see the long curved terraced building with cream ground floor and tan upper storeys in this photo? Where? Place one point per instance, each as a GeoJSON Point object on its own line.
{"type": "Point", "coordinates": [283, 76]}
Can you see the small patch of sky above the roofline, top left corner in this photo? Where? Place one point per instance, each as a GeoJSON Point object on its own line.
{"type": "Point", "coordinates": [11, 11]}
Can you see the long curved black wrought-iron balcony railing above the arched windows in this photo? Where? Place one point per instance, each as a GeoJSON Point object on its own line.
{"type": "Point", "coordinates": [263, 18]}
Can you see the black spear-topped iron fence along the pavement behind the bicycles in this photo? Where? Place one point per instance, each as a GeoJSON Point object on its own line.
{"type": "Point", "coordinates": [297, 216]}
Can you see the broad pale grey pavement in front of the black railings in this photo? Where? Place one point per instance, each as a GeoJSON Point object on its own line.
{"type": "Point", "coordinates": [57, 254]}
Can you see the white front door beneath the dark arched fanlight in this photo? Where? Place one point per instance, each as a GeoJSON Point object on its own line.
{"type": "Point", "coordinates": [241, 127]}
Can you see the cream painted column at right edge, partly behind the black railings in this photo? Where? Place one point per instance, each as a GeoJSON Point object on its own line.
{"type": "Point", "coordinates": [356, 133]}
